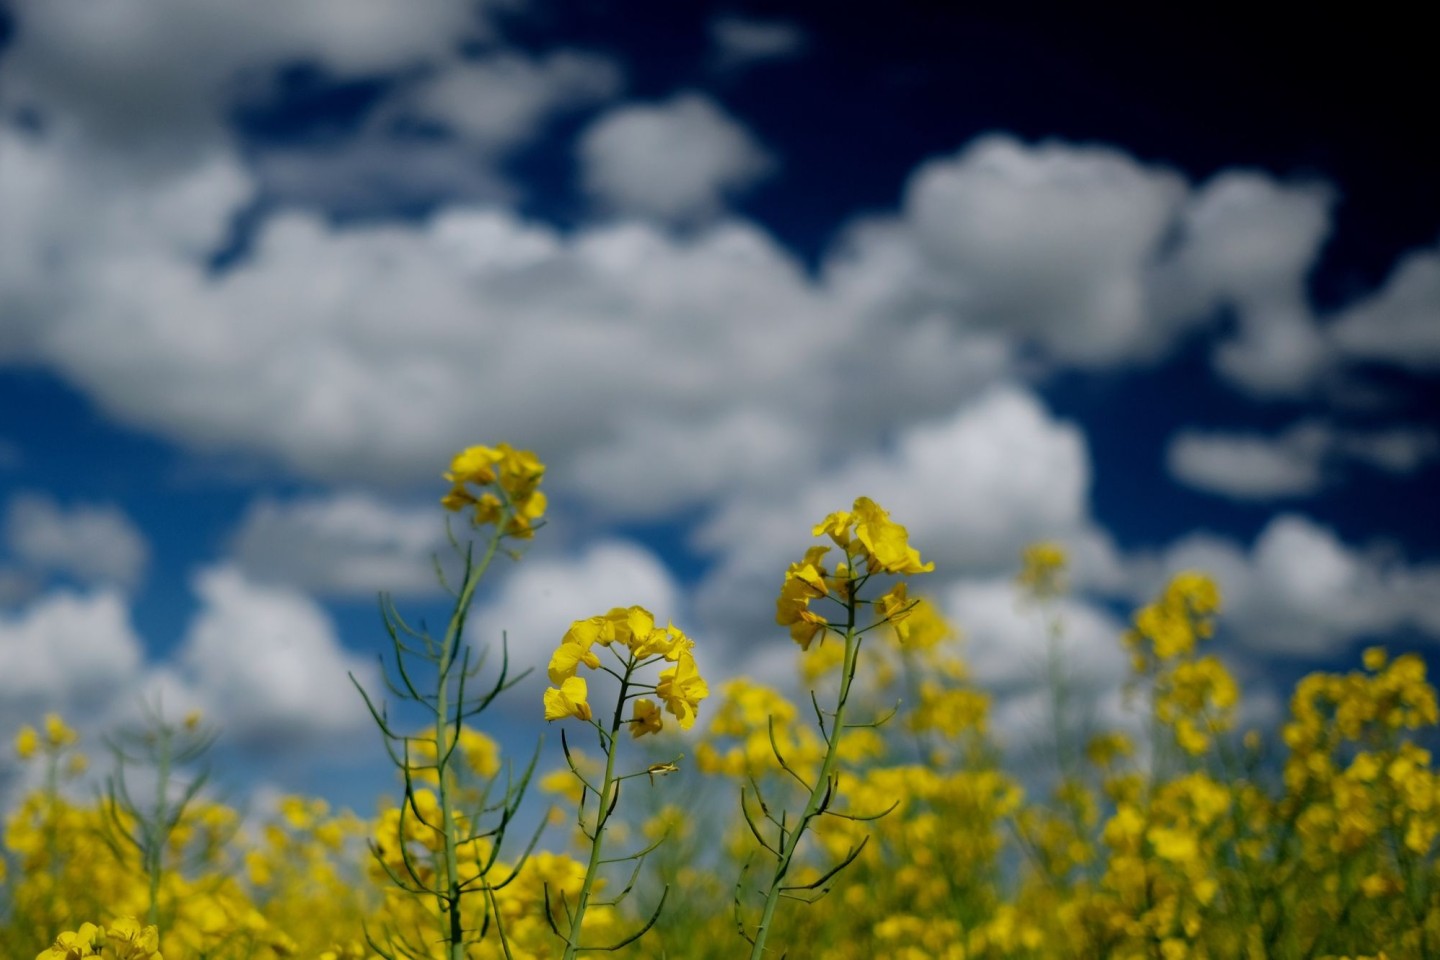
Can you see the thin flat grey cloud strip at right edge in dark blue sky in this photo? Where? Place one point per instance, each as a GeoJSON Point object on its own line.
{"type": "Point", "coordinates": [1297, 463]}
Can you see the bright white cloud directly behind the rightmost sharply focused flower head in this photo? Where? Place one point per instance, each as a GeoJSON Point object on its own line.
{"type": "Point", "coordinates": [973, 490]}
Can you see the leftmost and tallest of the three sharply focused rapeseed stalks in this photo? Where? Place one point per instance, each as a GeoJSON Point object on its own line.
{"type": "Point", "coordinates": [499, 489]}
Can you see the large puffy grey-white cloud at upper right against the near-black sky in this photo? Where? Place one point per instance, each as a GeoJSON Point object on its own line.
{"type": "Point", "coordinates": [1045, 244]}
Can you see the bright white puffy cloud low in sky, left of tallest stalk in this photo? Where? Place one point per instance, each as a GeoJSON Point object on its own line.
{"type": "Point", "coordinates": [267, 664]}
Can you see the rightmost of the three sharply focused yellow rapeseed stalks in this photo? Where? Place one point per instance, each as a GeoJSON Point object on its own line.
{"type": "Point", "coordinates": [873, 545]}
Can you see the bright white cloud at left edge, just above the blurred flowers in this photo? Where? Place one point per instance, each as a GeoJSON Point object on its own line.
{"type": "Point", "coordinates": [67, 648]}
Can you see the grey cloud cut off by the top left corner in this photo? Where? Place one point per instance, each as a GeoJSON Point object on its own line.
{"type": "Point", "coordinates": [158, 76]}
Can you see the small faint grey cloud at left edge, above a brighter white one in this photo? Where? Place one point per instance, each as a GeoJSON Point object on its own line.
{"type": "Point", "coordinates": [96, 545]}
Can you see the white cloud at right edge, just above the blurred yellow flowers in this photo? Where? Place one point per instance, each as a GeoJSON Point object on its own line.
{"type": "Point", "coordinates": [1301, 591]}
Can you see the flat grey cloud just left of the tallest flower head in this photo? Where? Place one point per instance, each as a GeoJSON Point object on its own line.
{"type": "Point", "coordinates": [346, 545]}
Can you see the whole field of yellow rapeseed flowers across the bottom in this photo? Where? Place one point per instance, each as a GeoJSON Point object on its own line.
{"type": "Point", "coordinates": [879, 797]}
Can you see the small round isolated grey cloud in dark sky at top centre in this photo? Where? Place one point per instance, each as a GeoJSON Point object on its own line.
{"type": "Point", "coordinates": [679, 160]}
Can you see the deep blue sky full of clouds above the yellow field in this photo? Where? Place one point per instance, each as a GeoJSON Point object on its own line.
{"type": "Point", "coordinates": [1169, 296]}
